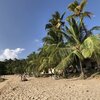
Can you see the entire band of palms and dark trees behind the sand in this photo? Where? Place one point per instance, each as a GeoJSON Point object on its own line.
{"type": "Point", "coordinates": [69, 47]}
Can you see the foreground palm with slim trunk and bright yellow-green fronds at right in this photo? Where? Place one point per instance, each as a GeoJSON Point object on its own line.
{"type": "Point", "coordinates": [80, 46]}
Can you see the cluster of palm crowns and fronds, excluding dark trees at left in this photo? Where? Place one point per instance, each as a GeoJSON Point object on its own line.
{"type": "Point", "coordinates": [68, 43]}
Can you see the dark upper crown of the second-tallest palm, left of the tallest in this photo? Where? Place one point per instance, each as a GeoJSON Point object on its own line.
{"type": "Point", "coordinates": [54, 28]}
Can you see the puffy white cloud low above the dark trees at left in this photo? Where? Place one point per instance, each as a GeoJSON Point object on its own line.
{"type": "Point", "coordinates": [10, 53]}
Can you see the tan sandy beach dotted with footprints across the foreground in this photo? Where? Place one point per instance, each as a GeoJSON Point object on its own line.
{"type": "Point", "coordinates": [49, 89]}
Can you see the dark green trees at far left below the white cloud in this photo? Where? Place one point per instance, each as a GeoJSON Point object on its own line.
{"type": "Point", "coordinates": [13, 67]}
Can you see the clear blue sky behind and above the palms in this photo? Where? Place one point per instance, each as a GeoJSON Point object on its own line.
{"type": "Point", "coordinates": [22, 22]}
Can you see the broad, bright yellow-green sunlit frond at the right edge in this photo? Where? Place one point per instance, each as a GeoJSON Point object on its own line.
{"type": "Point", "coordinates": [90, 45]}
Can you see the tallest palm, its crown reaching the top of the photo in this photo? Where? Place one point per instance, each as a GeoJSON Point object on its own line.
{"type": "Point", "coordinates": [78, 12]}
